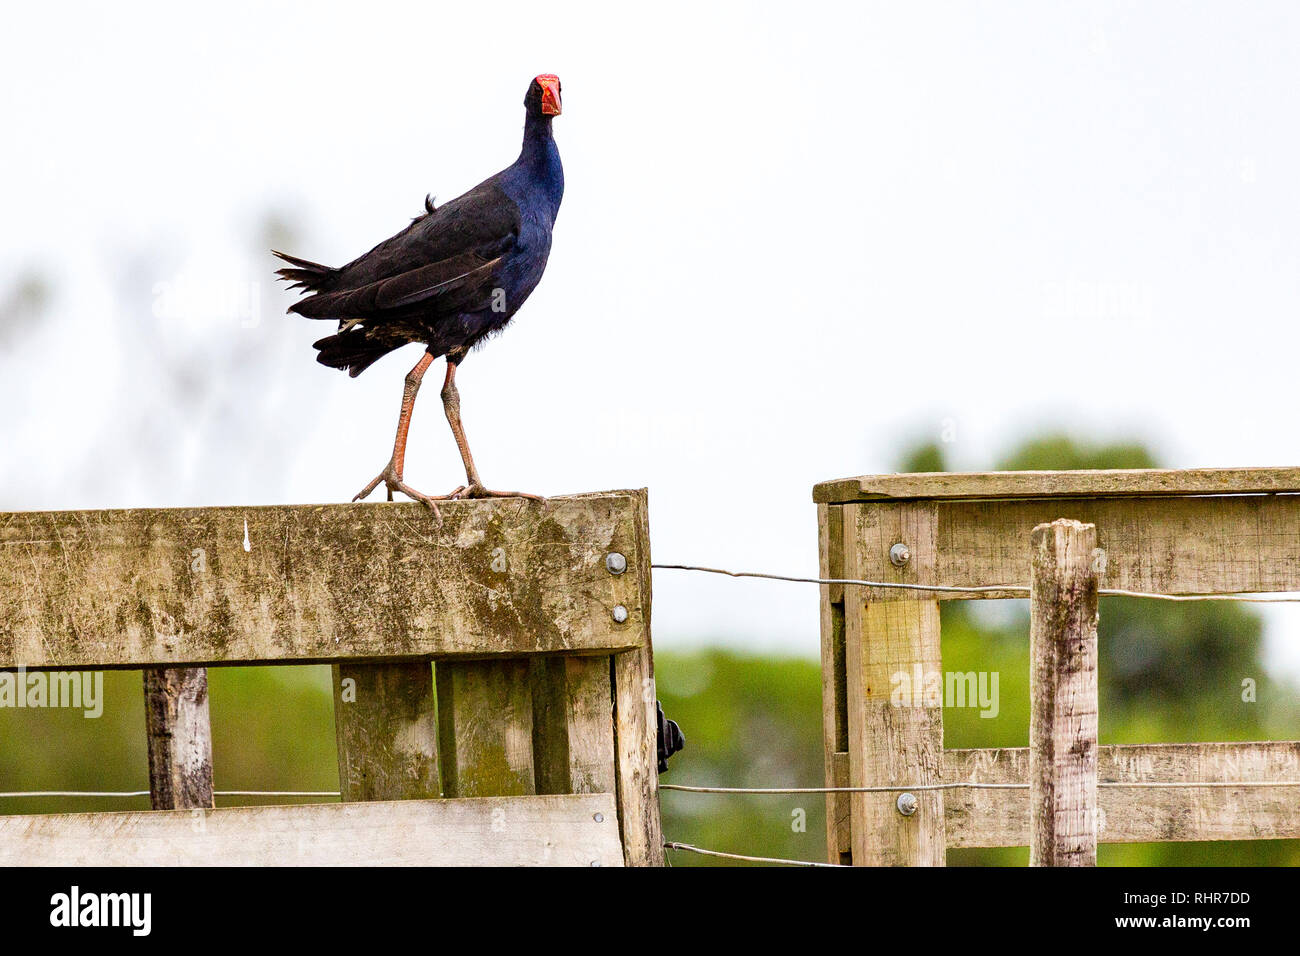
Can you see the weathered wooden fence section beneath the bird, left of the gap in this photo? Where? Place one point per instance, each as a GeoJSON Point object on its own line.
{"type": "Point", "coordinates": [531, 738]}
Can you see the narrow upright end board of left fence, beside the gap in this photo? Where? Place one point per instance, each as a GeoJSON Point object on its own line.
{"type": "Point", "coordinates": [635, 726]}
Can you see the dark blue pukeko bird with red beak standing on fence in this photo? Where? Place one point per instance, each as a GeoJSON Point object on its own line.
{"type": "Point", "coordinates": [452, 279]}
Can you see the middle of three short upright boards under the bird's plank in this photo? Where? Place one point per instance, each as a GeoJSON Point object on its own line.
{"type": "Point", "coordinates": [486, 719]}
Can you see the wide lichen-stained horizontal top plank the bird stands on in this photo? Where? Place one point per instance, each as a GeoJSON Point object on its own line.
{"type": "Point", "coordinates": [331, 582]}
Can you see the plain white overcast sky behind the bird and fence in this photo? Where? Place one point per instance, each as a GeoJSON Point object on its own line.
{"type": "Point", "coordinates": [794, 237]}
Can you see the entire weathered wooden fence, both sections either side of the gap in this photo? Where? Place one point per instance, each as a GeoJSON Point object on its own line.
{"type": "Point", "coordinates": [495, 684]}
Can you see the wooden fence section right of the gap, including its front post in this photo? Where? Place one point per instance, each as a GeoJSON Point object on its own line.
{"type": "Point", "coordinates": [1168, 533]}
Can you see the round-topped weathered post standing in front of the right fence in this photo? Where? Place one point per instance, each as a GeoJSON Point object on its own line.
{"type": "Point", "coordinates": [1064, 695]}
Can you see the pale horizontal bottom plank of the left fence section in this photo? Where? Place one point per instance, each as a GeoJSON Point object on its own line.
{"type": "Point", "coordinates": [578, 830]}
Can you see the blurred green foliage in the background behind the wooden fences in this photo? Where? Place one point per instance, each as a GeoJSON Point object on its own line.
{"type": "Point", "coordinates": [1169, 673]}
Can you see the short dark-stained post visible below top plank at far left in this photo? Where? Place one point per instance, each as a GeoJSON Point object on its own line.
{"type": "Point", "coordinates": [180, 738]}
